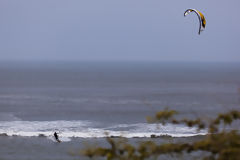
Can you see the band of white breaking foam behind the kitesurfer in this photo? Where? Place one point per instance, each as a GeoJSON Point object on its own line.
{"type": "Point", "coordinates": [86, 129]}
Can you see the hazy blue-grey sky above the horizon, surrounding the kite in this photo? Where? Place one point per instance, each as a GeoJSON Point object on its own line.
{"type": "Point", "coordinates": [118, 30]}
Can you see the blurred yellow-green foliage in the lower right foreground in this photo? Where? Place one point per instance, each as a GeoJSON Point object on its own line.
{"type": "Point", "coordinates": [219, 144]}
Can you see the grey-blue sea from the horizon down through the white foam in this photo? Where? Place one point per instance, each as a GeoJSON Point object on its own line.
{"type": "Point", "coordinates": [90, 99]}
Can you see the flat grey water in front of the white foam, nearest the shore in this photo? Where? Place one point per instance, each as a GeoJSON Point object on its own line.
{"type": "Point", "coordinates": [40, 148]}
